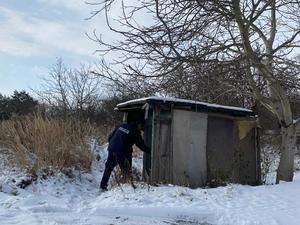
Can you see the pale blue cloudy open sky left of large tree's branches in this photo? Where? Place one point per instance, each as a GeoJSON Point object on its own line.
{"type": "Point", "coordinates": [35, 33]}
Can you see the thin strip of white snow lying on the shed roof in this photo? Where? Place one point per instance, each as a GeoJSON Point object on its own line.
{"type": "Point", "coordinates": [169, 99]}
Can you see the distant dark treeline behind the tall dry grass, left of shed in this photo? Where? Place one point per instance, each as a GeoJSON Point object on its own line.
{"type": "Point", "coordinates": [21, 103]}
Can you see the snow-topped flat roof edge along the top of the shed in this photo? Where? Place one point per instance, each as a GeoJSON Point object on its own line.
{"type": "Point", "coordinates": [179, 101]}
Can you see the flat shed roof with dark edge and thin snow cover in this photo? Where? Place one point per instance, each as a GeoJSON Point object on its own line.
{"type": "Point", "coordinates": [195, 105]}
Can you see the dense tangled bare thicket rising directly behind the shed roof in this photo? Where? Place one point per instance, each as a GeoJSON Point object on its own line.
{"type": "Point", "coordinates": [205, 82]}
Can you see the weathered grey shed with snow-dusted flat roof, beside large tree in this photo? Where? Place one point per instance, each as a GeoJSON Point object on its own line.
{"type": "Point", "coordinates": [195, 143]}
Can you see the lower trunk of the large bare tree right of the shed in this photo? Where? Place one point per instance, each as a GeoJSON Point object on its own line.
{"type": "Point", "coordinates": [285, 169]}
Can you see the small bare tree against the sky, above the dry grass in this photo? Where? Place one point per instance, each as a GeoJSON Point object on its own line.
{"type": "Point", "coordinates": [71, 91]}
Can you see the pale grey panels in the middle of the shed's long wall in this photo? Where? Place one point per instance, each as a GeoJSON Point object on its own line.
{"type": "Point", "coordinates": [189, 148]}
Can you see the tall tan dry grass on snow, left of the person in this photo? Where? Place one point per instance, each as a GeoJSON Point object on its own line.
{"type": "Point", "coordinates": [38, 142]}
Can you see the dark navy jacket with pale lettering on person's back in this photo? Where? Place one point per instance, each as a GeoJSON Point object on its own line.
{"type": "Point", "coordinates": [124, 137]}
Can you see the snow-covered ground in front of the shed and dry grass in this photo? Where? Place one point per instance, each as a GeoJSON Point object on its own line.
{"type": "Point", "coordinates": [63, 200]}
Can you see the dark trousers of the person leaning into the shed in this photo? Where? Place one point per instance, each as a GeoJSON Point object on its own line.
{"type": "Point", "coordinates": [113, 159]}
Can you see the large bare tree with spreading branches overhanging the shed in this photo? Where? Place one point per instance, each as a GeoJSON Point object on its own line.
{"type": "Point", "coordinates": [257, 35]}
